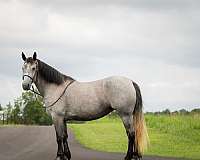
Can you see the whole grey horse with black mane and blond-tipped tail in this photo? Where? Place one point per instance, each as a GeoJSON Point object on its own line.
{"type": "Point", "coordinates": [66, 99]}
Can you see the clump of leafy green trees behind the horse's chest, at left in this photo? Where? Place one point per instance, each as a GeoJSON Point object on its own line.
{"type": "Point", "coordinates": [27, 109]}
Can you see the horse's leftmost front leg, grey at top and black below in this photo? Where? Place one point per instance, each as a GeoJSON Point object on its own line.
{"type": "Point", "coordinates": [59, 127]}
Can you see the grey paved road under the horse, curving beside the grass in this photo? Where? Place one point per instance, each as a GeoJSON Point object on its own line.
{"type": "Point", "coordinates": [38, 143]}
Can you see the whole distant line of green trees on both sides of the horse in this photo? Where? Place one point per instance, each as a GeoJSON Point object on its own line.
{"type": "Point", "coordinates": [28, 109]}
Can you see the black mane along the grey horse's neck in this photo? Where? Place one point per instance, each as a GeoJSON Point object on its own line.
{"type": "Point", "coordinates": [50, 74]}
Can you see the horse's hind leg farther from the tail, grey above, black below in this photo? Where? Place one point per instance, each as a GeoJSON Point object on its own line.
{"type": "Point", "coordinates": [128, 124]}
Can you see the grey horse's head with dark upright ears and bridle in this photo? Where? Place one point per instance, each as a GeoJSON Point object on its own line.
{"type": "Point", "coordinates": [30, 70]}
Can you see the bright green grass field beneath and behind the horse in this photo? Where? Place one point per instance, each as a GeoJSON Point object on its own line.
{"type": "Point", "coordinates": [173, 136]}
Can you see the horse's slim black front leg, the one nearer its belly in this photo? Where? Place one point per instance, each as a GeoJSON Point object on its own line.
{"type": "Point", "coordinates": [65, 143]}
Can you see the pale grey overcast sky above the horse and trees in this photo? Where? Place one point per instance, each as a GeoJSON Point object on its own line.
{"type": "Point", "coordinates": [155, 43]}
